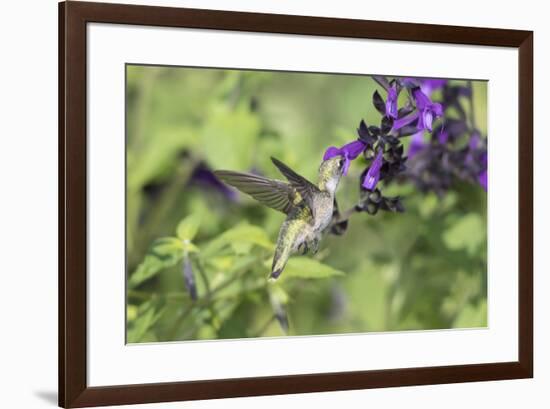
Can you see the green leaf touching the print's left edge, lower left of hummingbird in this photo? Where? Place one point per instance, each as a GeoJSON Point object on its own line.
{"type": "Point", "coordinates": [164, 253]}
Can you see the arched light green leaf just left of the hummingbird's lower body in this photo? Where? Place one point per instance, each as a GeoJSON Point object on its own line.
{"type": "Point", "coordinates": [241, 234]}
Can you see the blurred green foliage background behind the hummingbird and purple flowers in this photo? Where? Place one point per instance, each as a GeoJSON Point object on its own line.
{"type": "Point", "coordinates": [422, 269]}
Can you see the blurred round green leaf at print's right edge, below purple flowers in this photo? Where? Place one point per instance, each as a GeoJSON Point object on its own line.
{"type": "Point", "coordinates": [467, 233]}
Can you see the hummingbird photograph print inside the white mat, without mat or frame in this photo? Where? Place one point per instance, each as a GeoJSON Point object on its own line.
{"type": "Point", "coordinates": [268, 204]}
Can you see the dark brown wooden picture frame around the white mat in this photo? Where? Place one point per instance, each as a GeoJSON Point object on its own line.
{"type": "Point", "coordinates": [73, 388]}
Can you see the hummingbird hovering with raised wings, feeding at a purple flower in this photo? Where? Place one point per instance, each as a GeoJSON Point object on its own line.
{"type": "Point", "coordinates": [308, 207]}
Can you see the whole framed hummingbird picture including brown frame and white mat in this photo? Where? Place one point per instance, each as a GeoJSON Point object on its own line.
{"type": "Point", "coordinates": [302, 196]}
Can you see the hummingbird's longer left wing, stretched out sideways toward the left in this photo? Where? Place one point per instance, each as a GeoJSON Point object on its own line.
{"type": "Point", "coordinates": [273, 193]}
